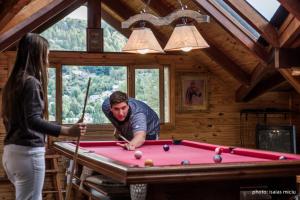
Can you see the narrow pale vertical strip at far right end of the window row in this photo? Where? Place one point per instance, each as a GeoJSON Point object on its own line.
{"type": "Point", "coordinates": [167, 94]}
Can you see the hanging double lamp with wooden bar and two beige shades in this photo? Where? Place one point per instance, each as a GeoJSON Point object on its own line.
{"type": "Point", "coordinates": [185, 36]}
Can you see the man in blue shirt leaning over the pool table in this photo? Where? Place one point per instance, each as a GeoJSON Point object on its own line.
{"type": "Point", "coordinates": [132, 119]}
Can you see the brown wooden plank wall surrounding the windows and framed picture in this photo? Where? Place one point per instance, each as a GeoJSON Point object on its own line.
{"type": "Point", "coordinates": [220, 124]}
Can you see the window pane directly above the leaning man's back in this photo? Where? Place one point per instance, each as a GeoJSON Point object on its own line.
{"type": "Point", "coordinates": [147, 87]}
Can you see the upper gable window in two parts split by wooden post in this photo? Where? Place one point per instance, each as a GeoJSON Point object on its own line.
{"type": "Point", "coordinates": [69, 34]}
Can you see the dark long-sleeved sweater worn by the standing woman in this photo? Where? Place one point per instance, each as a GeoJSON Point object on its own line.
{"type": "Point", "coordinates": [26, 126]}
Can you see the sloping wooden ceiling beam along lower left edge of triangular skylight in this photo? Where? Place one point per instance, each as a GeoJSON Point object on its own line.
{"type": "Point", "coordinates": [260, 24]}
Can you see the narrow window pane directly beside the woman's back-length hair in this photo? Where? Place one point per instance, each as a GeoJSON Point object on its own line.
{"type": "Point", "coordinates": [52, 94]}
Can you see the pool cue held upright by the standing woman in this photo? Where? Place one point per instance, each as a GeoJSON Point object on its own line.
{"type": "Point", "coordinates": [69, 189]}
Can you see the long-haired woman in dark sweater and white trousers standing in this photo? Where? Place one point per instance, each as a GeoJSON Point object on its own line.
{"type": "Point", "coordinates": [24, 107]}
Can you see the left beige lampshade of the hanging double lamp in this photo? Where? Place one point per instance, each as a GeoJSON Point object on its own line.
{"type": "Point", "coordinates": [142, 40]}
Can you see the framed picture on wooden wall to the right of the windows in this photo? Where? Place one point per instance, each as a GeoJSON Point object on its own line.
{"type": "Point", "coordinates": [193, 92]}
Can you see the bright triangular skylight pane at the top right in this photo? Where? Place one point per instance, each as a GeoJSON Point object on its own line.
{"type": "Point", "coordinates": [266, 8]}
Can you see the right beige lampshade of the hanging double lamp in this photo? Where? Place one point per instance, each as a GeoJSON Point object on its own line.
{"type": "Point", "coordinates": [185, 38]}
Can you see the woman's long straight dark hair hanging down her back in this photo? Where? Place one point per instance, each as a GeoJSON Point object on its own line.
{"type": "Point", "coordinates": [31, 60]}
